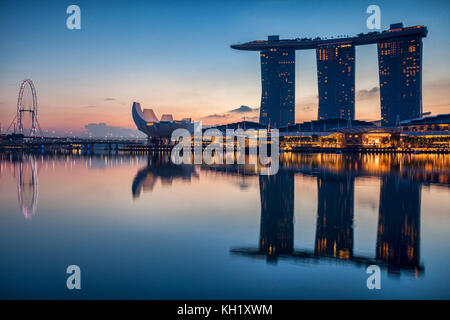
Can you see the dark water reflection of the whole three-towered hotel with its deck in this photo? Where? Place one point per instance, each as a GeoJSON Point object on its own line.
{"type": "Point", "coordinates": [398, 231]}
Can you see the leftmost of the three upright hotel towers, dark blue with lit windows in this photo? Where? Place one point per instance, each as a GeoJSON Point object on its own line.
{"type": "Point", "coordinates": [278, 86]}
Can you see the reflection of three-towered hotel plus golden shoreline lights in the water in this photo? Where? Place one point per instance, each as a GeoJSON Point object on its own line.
{"type": "Point", "coordinates": [398, 233]}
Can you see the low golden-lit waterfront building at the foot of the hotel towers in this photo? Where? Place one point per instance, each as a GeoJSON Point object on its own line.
{"type": "Point", "coordinates": [428, 134]}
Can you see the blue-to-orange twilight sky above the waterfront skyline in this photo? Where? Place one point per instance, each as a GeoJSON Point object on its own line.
{"type": "Point", "coordinates": [175, 57]}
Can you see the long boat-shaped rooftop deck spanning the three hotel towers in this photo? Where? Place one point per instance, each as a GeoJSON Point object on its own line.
{"type": "Point", "coordinates": [308, 43]}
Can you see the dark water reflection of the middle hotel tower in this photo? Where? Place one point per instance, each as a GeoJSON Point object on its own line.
{"type": "Point", "coordinates": [334, 230]}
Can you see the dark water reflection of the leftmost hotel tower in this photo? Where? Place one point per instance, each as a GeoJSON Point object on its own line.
{"type": "Point", "coordinates": [277, 214]}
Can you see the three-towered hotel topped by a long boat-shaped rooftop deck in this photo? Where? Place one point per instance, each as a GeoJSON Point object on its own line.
{"type": "Point", "coordinates": [399, 65]}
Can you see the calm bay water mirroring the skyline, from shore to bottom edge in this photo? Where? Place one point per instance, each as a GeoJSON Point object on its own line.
{"type": "Point", "coordinates": [140, 227]}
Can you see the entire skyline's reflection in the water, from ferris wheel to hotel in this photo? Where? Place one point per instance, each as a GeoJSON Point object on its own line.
{"type": "Point", "coordinates": [397, 246]}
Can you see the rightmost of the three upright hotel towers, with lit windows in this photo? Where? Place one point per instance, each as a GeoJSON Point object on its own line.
{"type": "Point", "coordinates": [400, 69]}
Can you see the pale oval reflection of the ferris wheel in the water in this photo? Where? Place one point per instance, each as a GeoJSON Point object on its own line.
{"type": "Point", "coordinates": [27, 185]}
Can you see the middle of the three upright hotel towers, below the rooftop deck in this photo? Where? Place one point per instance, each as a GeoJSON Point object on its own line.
{"type": "Point", "coordinates": [336, 77]}
